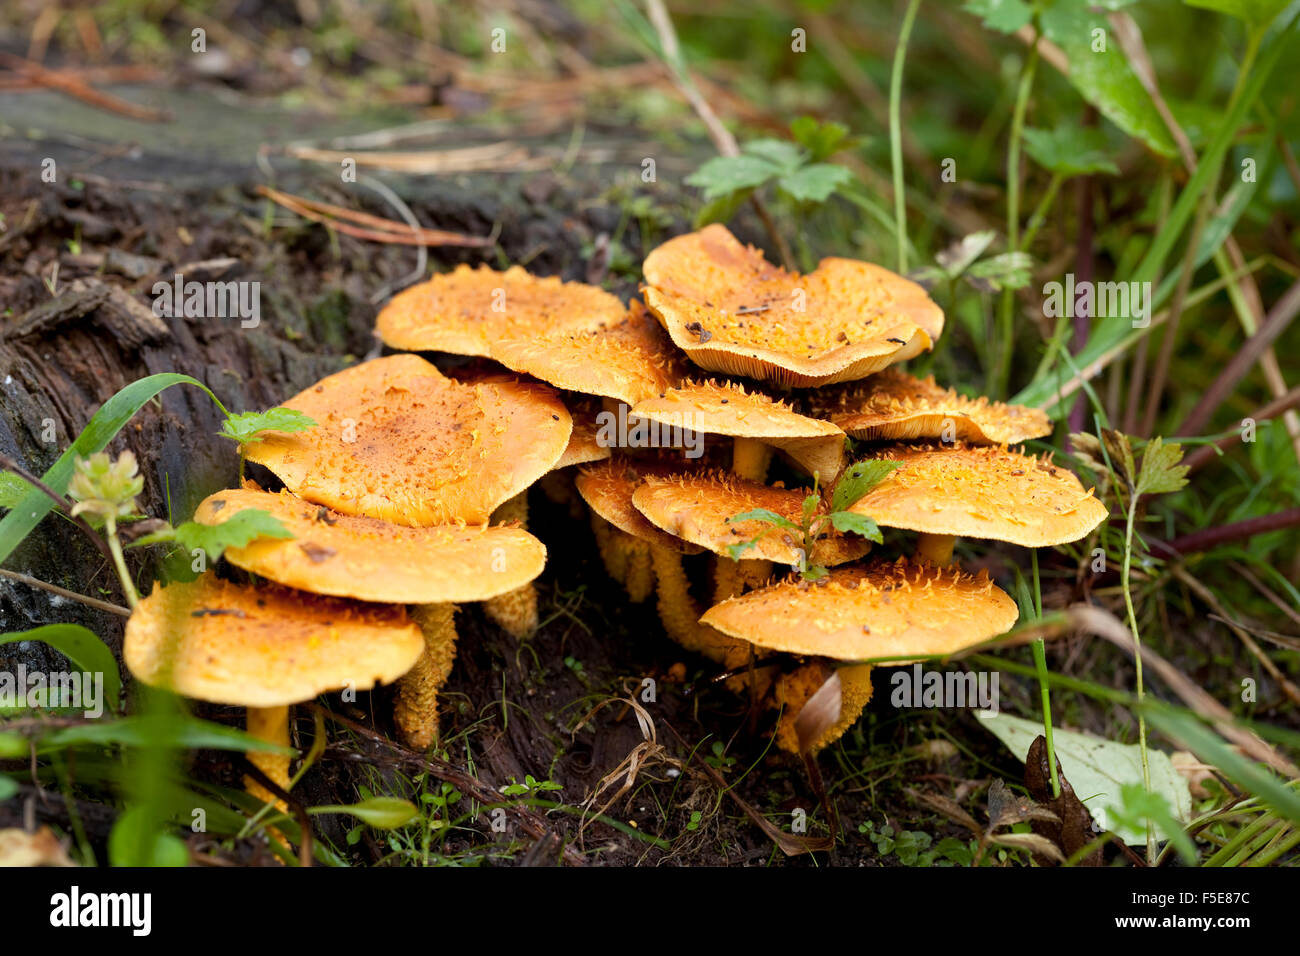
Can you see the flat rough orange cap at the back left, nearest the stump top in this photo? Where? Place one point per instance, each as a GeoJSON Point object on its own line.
{"type": "Point", "coordinates": [467, 310]}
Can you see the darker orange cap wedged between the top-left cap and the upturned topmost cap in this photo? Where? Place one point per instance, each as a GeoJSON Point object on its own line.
{"type": "Point", "coordinates": [630, 361]}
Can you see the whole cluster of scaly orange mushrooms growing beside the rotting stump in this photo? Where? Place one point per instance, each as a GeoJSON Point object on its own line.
{"type": "Point", "coordinates": [409, 498]}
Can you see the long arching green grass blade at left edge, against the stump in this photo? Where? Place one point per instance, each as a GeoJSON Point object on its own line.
{"type": "Point", "coordinates": [99, 431]}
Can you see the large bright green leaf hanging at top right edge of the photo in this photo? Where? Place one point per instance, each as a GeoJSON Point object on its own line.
{"type": "Point", "coordinates": [1104, 77]}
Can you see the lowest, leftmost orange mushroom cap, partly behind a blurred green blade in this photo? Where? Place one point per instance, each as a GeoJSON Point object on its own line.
{"type": "Point", "coordinates": [265, 647]}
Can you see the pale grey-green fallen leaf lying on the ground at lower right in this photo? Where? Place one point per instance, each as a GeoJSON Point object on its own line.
{"type": "Point", "coordinates": [1099, 769]}
